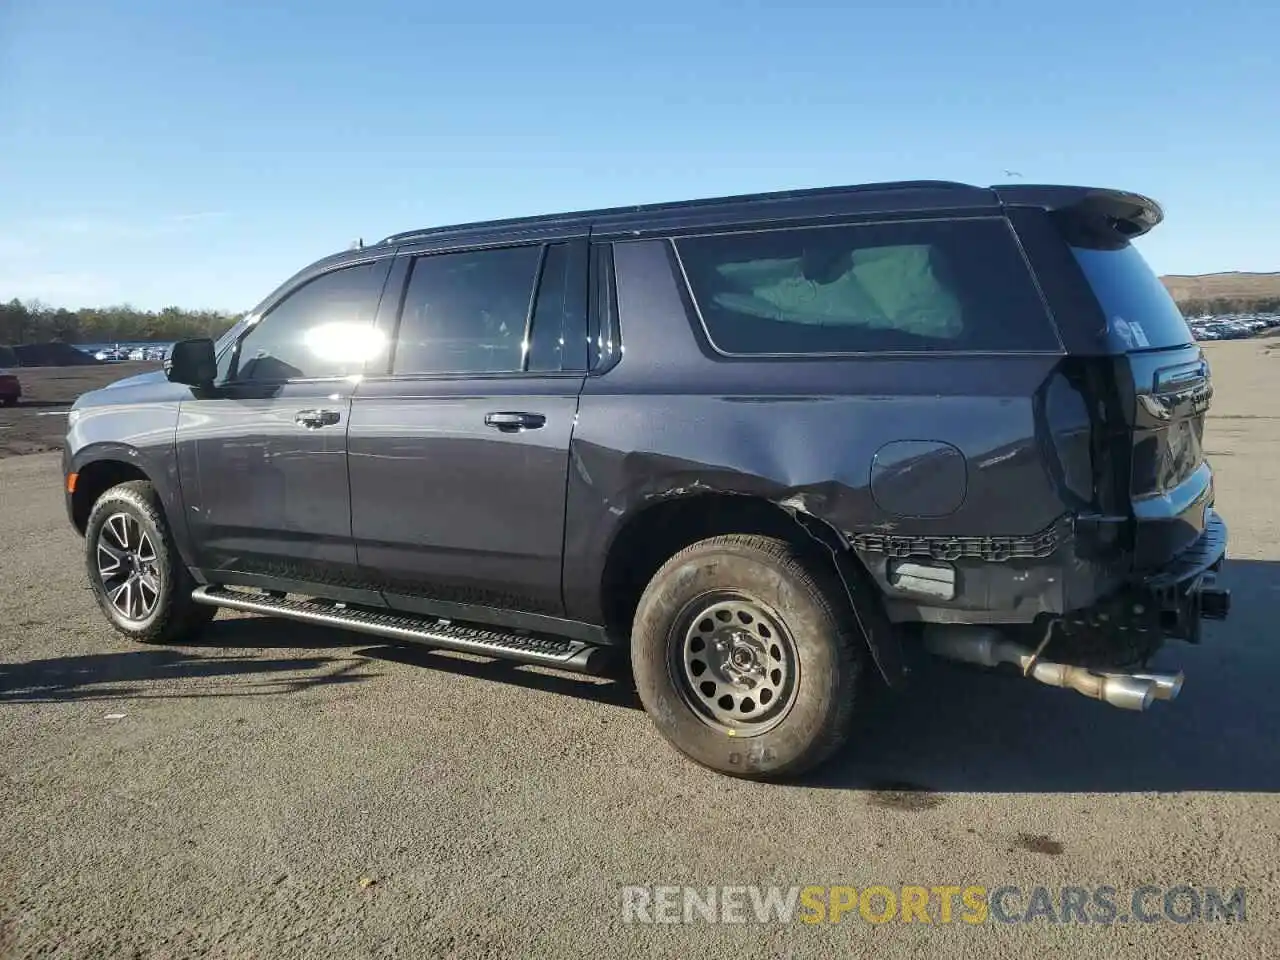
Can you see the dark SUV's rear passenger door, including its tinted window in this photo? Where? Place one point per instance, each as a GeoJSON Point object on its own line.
{"type": "Point", "coordinates": [459, 454]}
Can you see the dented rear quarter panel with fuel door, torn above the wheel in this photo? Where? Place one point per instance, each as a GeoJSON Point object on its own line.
{"type": "Point", "coordinates": [879, 447]}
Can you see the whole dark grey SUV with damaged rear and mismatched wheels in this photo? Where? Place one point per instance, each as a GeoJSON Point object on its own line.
{"type": "Point", "coordinates": [771, 449]}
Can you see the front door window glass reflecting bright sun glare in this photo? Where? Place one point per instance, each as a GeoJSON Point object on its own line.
{"type": "Point", "coordinates": [323, 330]}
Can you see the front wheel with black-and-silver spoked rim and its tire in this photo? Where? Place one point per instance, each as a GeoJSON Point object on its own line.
{"type": "Point", "coordinates": [136, 573]}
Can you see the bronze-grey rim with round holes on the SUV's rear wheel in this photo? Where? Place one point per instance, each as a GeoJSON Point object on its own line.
{"type": "Point", "coordinates": [738, 666]}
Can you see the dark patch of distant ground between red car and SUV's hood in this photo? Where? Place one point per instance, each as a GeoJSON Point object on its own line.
{"type": "Point", "coordinates": [40, 419]}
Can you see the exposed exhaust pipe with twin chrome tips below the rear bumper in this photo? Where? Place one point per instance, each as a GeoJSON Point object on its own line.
{"type": "Point", "coordinates": [988, 648]}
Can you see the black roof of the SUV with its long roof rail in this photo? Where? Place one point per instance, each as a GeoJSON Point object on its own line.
{"type": "Point", "coordinates": [903, 196]}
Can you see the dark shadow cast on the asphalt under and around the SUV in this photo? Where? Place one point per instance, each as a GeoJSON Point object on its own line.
{"type": "Point", "coordinates": [954, 730]}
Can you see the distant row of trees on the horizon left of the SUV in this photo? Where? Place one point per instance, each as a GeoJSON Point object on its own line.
{"type": "Point", "coordinates": [34, 322]}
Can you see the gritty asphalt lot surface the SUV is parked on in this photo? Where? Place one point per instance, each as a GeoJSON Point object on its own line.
{"type": "Point", "coordinates": [280, 792]}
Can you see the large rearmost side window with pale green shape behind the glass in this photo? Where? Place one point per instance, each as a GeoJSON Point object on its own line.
{"type": "Point", "coordinates": [918, 286]}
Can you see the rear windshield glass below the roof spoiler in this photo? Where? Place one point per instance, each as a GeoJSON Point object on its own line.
{"type": "Point", "coordinates": [1141, 314]}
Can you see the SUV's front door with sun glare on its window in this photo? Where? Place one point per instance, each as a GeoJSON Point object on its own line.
{"type": "Point", "coordinates": [263, 456]}
